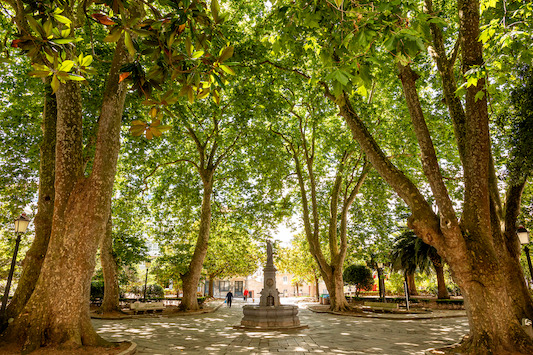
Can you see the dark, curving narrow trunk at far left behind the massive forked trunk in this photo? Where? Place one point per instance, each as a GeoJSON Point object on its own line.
{"type": "Point", "coordinates": [43, 220]}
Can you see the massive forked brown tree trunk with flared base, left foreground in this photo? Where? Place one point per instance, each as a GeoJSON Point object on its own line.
{"type": "Point", "coordinates": [57, 313]}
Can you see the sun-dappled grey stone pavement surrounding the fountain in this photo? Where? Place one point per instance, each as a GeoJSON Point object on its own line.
{"type": "Point", "coordinates": [212, 333]}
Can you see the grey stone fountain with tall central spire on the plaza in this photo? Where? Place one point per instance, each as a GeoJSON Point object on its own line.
{"type": "Point", "coordinates": [270, 314]}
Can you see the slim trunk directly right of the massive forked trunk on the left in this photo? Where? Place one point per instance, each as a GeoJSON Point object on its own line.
{"type": "Point", "coordinates": [110, 270]}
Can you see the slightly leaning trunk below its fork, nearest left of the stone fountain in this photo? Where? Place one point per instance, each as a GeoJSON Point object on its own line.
{"type": "Point", "coordinates": [191, 278]}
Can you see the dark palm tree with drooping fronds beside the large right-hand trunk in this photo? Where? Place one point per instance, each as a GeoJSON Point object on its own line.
{"type": "Point", "coordinates": [409, 253]}
